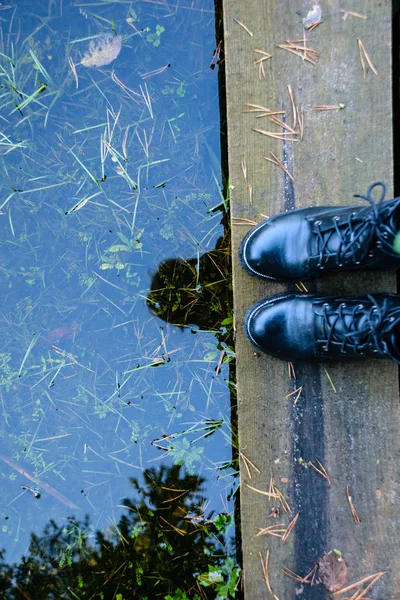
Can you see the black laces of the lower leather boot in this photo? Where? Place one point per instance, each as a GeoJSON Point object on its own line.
{"type": "Point", "coordinates": [364, 328]}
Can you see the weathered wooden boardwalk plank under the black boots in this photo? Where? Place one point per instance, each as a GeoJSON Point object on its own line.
{"type": "Point", "coordinates": [346, 416]}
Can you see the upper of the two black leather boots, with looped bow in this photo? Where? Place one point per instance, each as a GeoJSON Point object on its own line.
{"type": "Point", "coordinates": [303, 244]}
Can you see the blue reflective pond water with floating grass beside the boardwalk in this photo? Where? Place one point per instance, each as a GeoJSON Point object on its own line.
{"type": "Point", "coordinates": [116, 354]}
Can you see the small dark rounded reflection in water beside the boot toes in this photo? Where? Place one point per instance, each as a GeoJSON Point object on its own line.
{"type": "Point", "coordinates": [196, 291]}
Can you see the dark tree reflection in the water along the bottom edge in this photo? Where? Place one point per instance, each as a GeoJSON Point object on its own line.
{"type": "Point", "coordinates": [161, 549]}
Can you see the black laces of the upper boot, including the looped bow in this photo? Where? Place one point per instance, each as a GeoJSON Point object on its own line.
{"type": "Point", "coordinates": [357, 233]}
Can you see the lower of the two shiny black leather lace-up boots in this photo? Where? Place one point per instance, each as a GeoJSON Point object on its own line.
{"type": "Point", "coordinates": [311, 328]}
